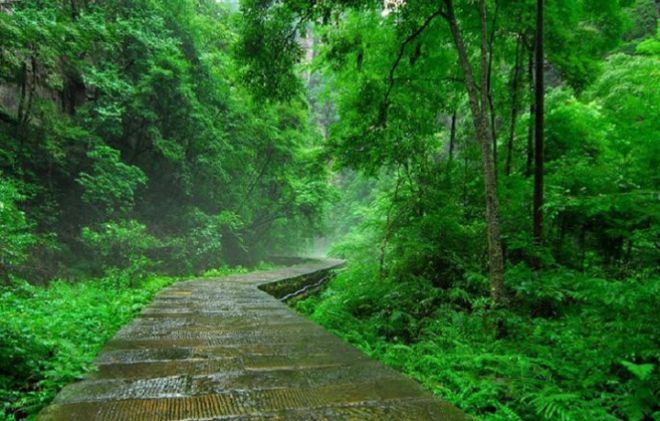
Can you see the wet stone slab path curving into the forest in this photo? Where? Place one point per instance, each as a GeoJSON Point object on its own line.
{"type": "Point", "coordinates": [222, 349]}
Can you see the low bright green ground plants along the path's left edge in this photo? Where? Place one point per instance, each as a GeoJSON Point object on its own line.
{"type": "Point", "coordinates": [49, 336]}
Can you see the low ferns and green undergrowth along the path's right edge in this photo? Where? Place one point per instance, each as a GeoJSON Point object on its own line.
{"type": "Point", "coordinates": [570, 347]}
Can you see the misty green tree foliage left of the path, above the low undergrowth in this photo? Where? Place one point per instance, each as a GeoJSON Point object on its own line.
{"type": "Point", "coordinates": [128, 139]}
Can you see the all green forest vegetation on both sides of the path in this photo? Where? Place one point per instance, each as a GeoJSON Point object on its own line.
{"type": "Point", "coordinates": [488, 167]}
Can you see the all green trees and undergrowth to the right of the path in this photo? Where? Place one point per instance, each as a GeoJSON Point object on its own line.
{"type": "Point", "coordinates": [576, 336]}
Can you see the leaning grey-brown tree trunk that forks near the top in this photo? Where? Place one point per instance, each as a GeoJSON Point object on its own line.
{"type": "Point", "coordinates": [478, 107]}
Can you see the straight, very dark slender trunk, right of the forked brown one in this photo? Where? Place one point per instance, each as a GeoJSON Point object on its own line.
{"type": "Point", "coordinates": [538, 127]}
